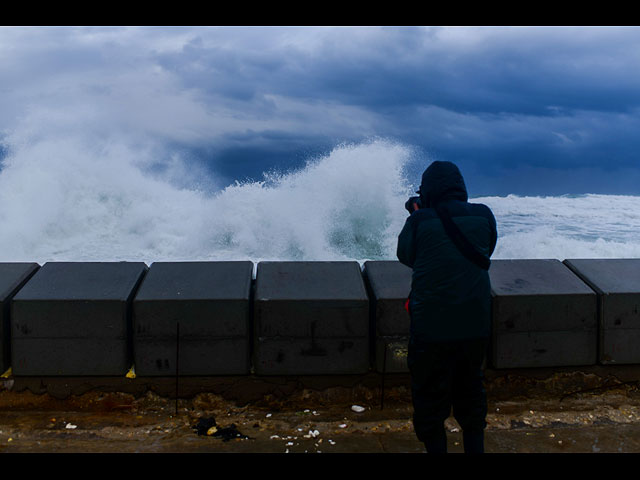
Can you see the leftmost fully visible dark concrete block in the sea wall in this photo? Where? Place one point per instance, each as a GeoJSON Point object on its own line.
{"type": "Point", "coordinates": [73, 318]}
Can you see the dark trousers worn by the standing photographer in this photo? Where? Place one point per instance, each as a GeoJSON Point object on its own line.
{"type": "Point", "coordinates": [446, 376]}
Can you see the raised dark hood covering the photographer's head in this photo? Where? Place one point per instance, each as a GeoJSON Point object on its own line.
{"type": "Point", "coordinates": [442, 181]}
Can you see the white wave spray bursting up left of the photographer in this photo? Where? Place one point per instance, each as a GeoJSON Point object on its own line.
{"type": "Point", "coordinates": [62, 201]}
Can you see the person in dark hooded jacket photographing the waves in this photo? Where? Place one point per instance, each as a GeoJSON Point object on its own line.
{"type": "Point", "coordinates": [448, 242]}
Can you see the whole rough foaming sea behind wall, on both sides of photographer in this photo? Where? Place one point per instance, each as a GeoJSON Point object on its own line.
{"type": "Point", "coordinates": [62, 200]}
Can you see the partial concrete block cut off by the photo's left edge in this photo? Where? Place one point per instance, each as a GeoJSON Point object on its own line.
{"type": "Point", "coordinates": [13, 276]}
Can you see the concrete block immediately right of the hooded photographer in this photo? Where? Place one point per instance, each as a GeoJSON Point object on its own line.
{"type": "Point", "coordinates": [543, 315]}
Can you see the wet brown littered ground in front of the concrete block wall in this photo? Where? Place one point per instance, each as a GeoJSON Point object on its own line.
{"type": "Point", "coordinates": [553, 417]}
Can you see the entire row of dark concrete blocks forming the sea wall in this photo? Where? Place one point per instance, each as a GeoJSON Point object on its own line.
{"type": "Point", "coordinates": [296, 318]}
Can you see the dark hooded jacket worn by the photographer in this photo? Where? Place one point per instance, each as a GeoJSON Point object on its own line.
{"type": "Point", "coordinates": [450, 295]}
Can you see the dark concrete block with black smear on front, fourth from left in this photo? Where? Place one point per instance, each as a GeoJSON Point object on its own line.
{"type": "Point", "coordinates": [310, 318]}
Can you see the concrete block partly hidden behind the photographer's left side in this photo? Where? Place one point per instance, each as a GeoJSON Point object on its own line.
{"type": "Point", "coordinates": [389, 284]}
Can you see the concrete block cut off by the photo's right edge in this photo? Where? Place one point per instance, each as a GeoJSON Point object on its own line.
{"type": "Point", "coordinates": [617, 283]}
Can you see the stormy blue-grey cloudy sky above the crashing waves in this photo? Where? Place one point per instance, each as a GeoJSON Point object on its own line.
{"type": "Point", "coordinates": [523, 110]}
